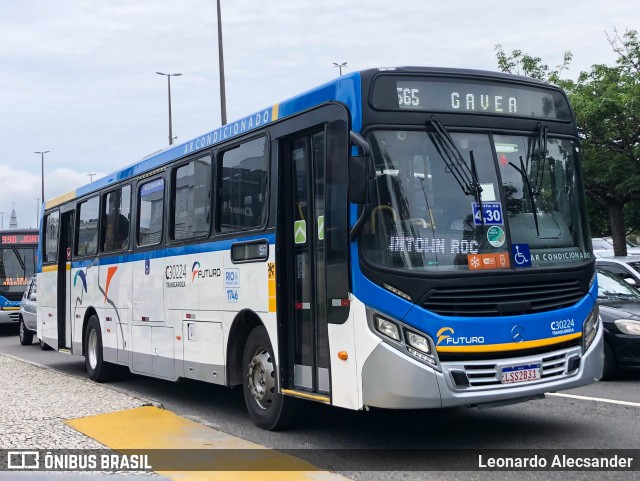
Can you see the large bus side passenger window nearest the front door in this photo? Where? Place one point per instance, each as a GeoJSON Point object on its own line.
{"type": "Point", "coordinates": [243, 186]}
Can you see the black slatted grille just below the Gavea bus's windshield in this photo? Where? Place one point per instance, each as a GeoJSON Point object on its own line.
{"type": "Point", "coordinates": [478, 301]}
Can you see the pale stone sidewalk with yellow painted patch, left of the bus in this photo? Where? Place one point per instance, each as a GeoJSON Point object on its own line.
{"type": "Point", "coordinates": [41, 408]}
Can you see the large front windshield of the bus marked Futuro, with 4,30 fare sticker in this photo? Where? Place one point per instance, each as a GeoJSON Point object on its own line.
{"type": "Point", "coordinates": [426, 216]}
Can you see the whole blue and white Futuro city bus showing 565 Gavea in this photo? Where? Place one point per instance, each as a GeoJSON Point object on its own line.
{"type": "Point", "coordinates": [395, 238]}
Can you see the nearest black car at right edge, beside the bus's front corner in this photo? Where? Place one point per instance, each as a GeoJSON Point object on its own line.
{"type": "Point", "coordinates": [620, 314]}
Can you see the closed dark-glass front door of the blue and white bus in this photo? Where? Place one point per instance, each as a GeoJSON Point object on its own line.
{"type": "Point", "coordinates": [307, 330]}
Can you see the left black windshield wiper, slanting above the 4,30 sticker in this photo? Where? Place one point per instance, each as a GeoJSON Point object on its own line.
{"type": "Point", "coordinates": [467, 178]}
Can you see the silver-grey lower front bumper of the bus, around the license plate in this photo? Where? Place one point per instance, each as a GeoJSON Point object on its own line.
{"type": "Point", "coordinates": [391, 379]}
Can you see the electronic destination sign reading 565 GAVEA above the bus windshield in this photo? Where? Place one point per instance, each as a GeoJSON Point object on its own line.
{"type": "Point", "coordinates": [468, 97]}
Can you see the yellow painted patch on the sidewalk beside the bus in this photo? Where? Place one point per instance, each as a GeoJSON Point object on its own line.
{"type": "Point", "coordinates": [149, 427]}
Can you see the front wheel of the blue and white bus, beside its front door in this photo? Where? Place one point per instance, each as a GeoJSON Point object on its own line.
{"type": "Point", "coordinates": [268, 408]}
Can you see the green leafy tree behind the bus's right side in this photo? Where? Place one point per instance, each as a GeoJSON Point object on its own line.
{"type": "Point", "coordinates": [606, 100]}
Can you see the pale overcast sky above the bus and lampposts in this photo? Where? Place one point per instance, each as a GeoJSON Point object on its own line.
{"type": "Point", "coordinates": [77, 77]}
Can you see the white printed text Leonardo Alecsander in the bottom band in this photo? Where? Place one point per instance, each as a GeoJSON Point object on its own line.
{"type": "Point", "coordinates": [560, 461]}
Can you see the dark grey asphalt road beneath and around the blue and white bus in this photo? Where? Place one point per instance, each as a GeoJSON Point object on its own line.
{"type": "Point", "coordinates": [551, 423]}
